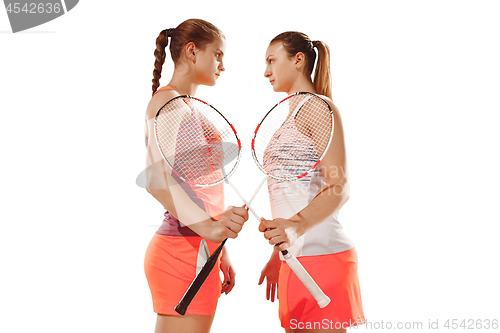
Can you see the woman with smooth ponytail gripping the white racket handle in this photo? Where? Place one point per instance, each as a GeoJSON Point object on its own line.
{"type": "Point", "coordinates": [314, 234]}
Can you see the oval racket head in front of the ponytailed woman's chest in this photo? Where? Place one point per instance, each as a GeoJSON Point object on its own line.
{"type": "Point", "coordinates": [293, 137]}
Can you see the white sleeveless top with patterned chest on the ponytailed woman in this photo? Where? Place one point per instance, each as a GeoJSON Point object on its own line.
{"type": "Point", "coordinates": [289, 197]}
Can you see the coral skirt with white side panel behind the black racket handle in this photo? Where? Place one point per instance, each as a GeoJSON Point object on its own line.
{"type": "Point", "coordinates": [171, 263]}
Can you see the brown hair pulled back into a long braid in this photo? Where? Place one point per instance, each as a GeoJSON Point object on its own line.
{"type": "Point", "coordinates": [200, 32]}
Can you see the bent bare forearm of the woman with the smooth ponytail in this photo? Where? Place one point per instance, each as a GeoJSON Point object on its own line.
{"type": "Point", "coordinates": [325, 204]}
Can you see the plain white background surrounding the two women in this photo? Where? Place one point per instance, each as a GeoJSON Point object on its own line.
{"type": "Point", "coordinates": [417, 84]}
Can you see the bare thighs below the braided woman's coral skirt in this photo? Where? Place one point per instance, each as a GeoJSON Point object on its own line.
{"type": "Point", "coordinates": [183, 324]}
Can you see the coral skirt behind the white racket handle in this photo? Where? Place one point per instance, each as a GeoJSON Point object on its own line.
{"type": "Point", "coordinates": [336, 274]}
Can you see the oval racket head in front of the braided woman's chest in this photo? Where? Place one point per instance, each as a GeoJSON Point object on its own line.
{"type": "Point", "coordinates": [198, 143]}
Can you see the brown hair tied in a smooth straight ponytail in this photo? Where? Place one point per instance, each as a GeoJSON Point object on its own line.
{"type": "Point", "coordinates": [295, 42]}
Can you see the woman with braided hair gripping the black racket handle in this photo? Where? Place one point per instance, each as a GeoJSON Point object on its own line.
{"type": "Point", "coordinates": [195, 220]}
